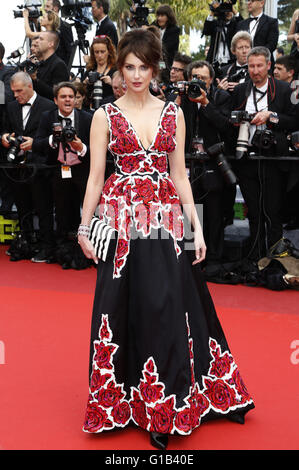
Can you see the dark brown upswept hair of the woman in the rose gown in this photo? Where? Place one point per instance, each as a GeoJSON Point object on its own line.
{"type": "Point", "coordinates": [143, 44]}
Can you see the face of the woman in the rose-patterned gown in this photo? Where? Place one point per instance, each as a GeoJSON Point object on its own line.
{"type": "Point", "coordinates": [137, 75]}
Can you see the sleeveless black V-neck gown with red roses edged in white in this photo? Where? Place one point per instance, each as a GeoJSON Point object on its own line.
{"type": "Point", "coordinates": [159, 358]}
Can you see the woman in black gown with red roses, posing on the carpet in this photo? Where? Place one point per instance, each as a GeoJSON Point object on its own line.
{"type": "Point", "coordinates": [158, 355]}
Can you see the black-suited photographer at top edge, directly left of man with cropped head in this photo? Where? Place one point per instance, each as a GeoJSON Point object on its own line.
{"type": "Point", "coordinates": [221, 25]}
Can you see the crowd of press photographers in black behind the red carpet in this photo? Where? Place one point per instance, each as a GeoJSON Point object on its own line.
{"type": "Point", "coordinates": [241, 108]}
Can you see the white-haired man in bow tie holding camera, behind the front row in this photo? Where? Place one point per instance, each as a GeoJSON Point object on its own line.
{"type": "Point", "coordinates": [236, 72]}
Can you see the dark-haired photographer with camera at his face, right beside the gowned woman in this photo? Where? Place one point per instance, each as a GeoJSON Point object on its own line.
{"type": "Point", "coordinates": [205, 109]}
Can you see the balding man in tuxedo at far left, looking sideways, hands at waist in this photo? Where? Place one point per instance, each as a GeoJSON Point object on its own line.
{"type": "Point", "coordinates": [22, 119]}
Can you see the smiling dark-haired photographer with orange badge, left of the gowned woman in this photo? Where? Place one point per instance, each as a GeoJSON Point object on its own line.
{"type": "Point", "coordinates": [63, 135]}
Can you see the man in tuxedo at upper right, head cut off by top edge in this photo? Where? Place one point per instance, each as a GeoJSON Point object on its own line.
{"type": "Point", "coordinates": [263, 29]}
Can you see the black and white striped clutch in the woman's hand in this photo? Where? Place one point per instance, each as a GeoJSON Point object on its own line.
{"type": "Point", "coordinates": [103, 237]}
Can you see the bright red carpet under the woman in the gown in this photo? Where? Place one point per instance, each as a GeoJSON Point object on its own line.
{"type": "Point", "coordinates": [44, 344]}
